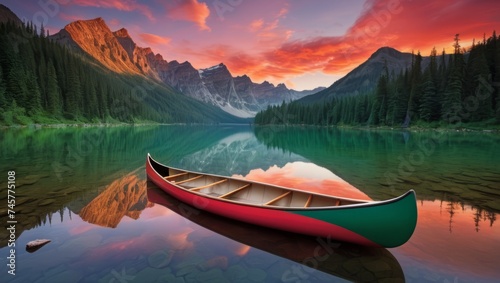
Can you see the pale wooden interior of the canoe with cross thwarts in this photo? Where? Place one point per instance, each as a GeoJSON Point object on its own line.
{"type": "Point", "coordinates": [249, 192]}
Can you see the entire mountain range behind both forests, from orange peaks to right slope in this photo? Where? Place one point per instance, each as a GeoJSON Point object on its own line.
{"type": "Point", "coordinates": [237, 95]}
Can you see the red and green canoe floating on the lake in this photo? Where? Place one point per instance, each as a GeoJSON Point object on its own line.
{"type": "Point", "coordinates": [388, 223]}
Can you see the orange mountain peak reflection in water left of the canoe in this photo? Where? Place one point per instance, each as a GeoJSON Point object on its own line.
{"type": "Point", "coordinates": [123, 197]}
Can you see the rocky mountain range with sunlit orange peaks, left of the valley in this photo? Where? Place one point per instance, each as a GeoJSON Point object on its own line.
{"type": "Point", "coordinates": [215, 85]}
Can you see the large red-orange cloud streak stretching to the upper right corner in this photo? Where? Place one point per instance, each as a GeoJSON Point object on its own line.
{"type": "Point", "coordinates": [402, 24]}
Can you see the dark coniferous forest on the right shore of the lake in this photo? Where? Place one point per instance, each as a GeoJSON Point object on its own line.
{"type": "Point", "coordinates": [452, 90]}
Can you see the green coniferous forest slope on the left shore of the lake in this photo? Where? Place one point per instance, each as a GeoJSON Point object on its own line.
{"type": "Point", "coordinates": [44, 82]}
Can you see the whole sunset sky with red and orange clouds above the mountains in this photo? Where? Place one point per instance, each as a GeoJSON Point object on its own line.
{"type": "Point", "coordinates": [304, 44]}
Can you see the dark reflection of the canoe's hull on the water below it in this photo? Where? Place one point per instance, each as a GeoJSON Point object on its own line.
{"type": "Point", "coordinates": [348, 261]}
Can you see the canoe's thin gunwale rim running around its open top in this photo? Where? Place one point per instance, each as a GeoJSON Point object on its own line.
{"type": "Point", "coordinates": [361, 204]}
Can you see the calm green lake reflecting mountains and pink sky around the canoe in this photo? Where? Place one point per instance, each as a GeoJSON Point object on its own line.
{"type": "Point", "coordinates": [85, 189]}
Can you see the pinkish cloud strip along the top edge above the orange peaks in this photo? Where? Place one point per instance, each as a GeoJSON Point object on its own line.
{"type": "Point", "coordinates": [122, 5]}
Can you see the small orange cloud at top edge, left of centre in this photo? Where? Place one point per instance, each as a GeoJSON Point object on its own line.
{"type": "Point", "coordinates": [191, 11]}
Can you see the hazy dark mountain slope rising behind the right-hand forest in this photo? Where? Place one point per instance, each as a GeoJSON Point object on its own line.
{"type": "Point", "coordinates": [364, 77]}
